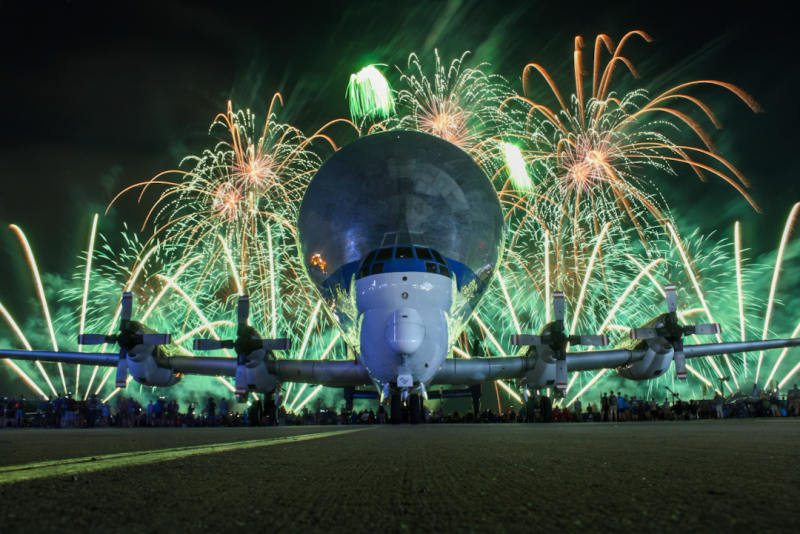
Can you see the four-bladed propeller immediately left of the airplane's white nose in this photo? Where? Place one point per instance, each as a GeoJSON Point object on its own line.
{"type": "Point", "coordinates": [247, 341]}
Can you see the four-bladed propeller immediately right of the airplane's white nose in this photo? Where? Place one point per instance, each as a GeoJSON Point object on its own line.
{"type": "Point", "coordinates": [556, 337]}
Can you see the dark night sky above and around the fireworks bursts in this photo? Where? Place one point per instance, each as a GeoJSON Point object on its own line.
{"type": "Point", "coordinates": [98, 98]}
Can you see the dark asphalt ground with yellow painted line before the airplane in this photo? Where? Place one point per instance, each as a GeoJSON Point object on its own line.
{"type": "Point", "coordinates": [699, 476]}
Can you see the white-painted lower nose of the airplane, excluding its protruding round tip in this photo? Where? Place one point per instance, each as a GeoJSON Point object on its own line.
{"type": "Point", "coordinates": [378, 296]}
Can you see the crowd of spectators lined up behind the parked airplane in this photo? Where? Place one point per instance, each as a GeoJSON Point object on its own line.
{"type": "Point", "coordinates": [127, 412]}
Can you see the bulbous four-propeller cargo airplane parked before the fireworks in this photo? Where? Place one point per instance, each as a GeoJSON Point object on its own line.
{"type": "Point", "coordinates": [401, 233]}
